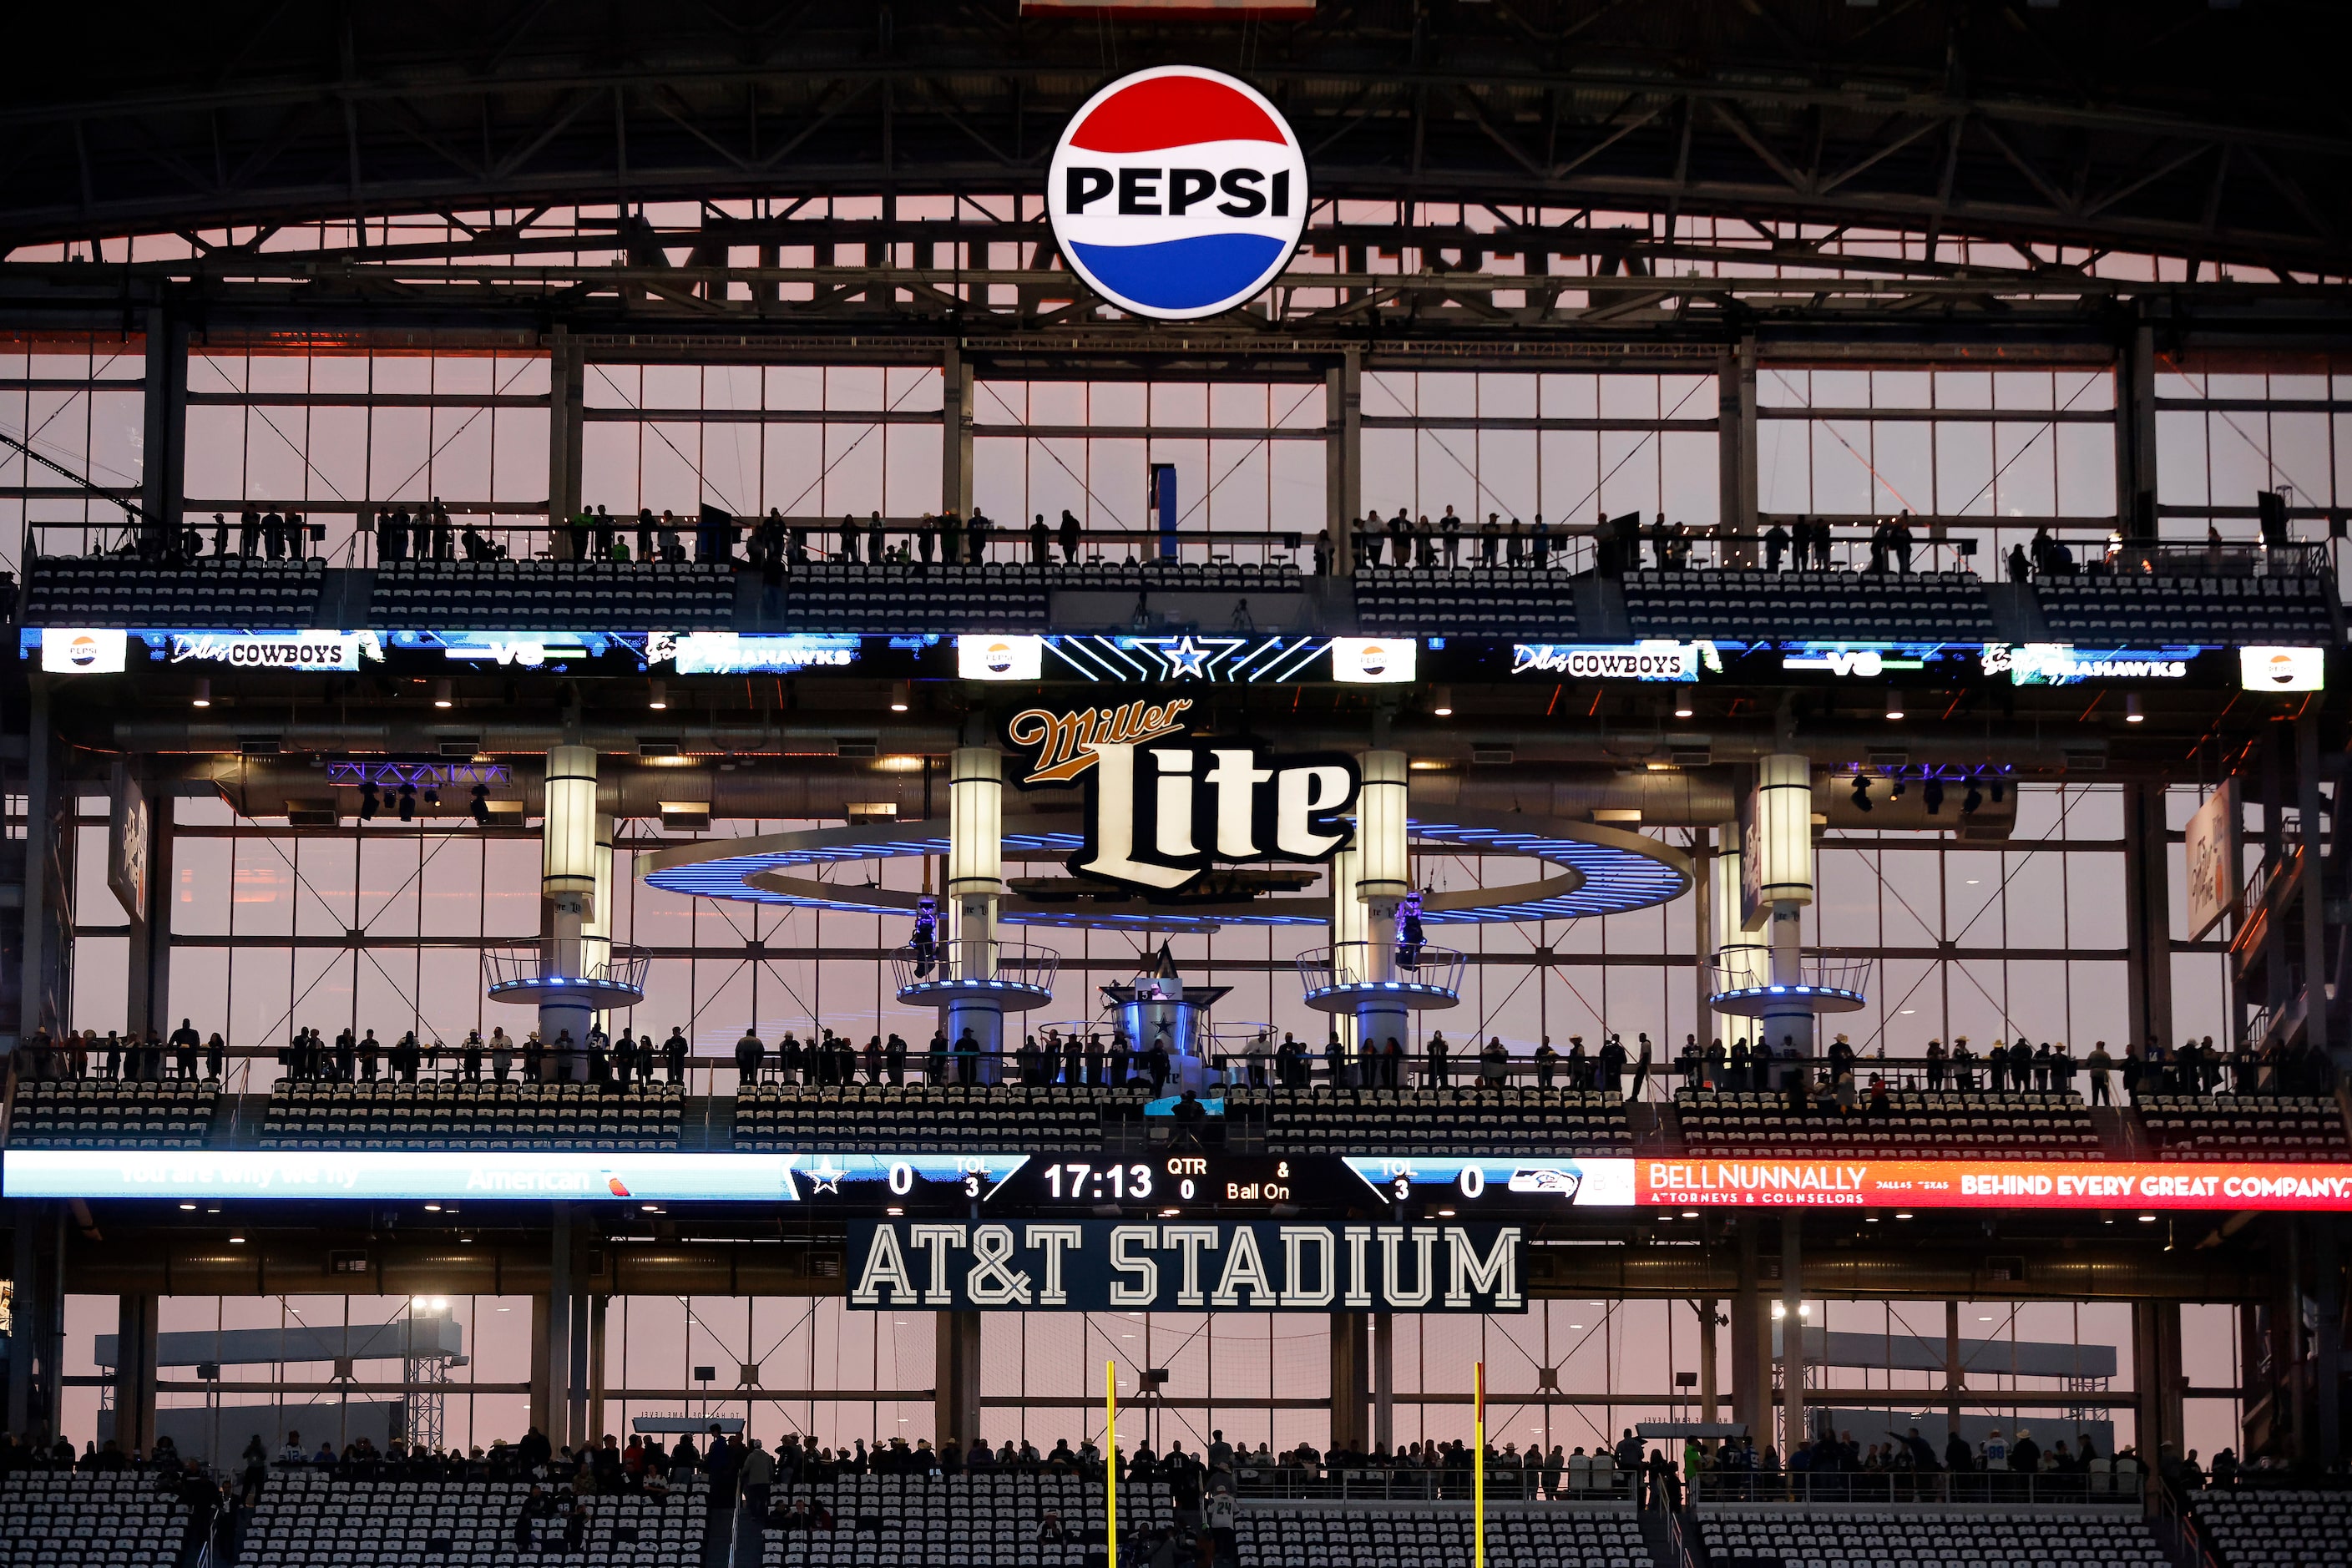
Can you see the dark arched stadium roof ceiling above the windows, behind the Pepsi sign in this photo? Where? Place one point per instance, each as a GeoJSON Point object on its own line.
{"type": "Point", "coordinates": [2158, 126]}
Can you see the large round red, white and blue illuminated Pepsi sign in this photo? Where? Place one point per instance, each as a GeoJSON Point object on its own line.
{"type": "Point", "coordinates": [1177, 192]}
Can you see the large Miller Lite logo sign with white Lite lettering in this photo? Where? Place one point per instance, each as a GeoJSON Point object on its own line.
{"type": "Point", "coordinates": [1163, 808]}
